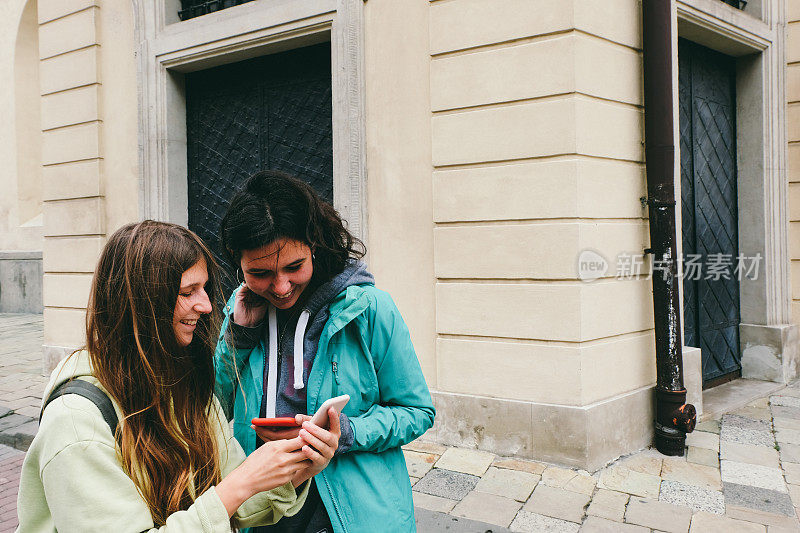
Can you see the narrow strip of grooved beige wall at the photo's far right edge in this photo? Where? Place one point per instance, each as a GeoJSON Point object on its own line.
{"type": "Point", "coordinates": [793, 154]}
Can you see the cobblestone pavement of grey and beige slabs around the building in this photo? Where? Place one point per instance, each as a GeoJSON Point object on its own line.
{"type": "Point", "coordinates": [741, 471]}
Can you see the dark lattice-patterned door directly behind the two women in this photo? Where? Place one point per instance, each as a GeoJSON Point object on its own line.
{"type": "Point", "coordinates": [271, 112]}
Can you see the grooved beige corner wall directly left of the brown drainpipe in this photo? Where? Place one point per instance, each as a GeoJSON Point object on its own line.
{"type": "Point", "coordinates": [536, 137]}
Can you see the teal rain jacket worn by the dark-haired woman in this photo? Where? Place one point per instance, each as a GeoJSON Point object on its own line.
{"type": "Point", "coordinates": [365, 351]}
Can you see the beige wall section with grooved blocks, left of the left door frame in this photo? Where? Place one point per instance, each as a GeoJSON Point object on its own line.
{"type": "Point", "coordinates": [89, 150]}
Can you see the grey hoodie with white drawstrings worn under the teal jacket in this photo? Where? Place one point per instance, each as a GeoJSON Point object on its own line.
{"type": "Point", "coordinates": [290, 397]}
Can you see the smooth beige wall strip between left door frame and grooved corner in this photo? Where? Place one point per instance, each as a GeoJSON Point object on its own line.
{"type": "Point", "coordinates": [399, 201]}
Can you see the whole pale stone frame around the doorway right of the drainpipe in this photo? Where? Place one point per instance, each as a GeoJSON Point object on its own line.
{"type": "Point", "coordinates": [756, 39]}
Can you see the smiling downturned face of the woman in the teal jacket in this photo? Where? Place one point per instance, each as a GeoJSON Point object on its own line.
{"type": "Point", "coordinates": [279, 271]}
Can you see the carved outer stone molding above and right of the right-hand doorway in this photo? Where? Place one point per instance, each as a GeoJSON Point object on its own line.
{"type": "Point", "coordinates": [763, 192]}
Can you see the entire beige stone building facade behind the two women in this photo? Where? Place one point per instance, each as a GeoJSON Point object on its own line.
{"type": "Point", "coordinates": [479, 148]}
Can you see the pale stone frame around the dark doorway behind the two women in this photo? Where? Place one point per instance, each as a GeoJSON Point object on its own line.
{"type": "Point", "coordinates": [168, 48]}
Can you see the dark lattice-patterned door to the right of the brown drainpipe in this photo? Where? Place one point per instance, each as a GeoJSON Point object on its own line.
{"type": "Point", "coordinates": [709, 211]}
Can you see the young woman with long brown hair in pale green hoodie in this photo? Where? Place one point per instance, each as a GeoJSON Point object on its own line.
{"type": "Point", "coordinates": [172, 462]}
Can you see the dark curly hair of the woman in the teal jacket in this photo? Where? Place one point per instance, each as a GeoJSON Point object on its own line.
{"type": "Point", "coordinates": [274, 205]}
